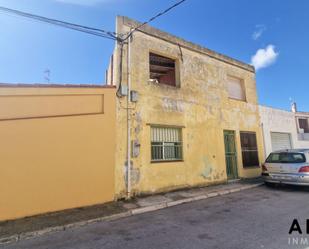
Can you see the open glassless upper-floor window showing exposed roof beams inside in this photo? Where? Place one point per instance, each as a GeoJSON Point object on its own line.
{"type": "Point", "coordinates": [162, 70]}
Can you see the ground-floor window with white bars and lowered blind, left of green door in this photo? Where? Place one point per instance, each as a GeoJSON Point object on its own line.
{"type": "Point", "coordinates": [166, 144]}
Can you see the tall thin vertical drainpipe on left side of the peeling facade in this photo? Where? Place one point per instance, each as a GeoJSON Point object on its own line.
{"type": "Point", "coordinates": [129, 121]}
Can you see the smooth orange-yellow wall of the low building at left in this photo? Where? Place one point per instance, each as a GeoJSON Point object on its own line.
{"type": "Point", "coordinates": [57, 147]}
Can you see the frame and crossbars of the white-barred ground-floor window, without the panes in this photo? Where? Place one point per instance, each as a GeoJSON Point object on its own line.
{"type": "Point", "coordinates": [164, 145]}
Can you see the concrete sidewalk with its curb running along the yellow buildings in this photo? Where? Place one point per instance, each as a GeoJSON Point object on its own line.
{"type": "Point", "coordinates": [12, 231]}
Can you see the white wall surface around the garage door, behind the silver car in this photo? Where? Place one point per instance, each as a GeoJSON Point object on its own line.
{"type": "Point", "coordinates": [275, 120]}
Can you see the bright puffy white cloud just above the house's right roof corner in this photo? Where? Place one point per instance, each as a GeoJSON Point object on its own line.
{"type": "Point", "coordinates": [264, 57]}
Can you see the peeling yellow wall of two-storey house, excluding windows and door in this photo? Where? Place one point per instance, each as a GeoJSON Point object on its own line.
{"type": "Point", "coordinates": [201, 105]}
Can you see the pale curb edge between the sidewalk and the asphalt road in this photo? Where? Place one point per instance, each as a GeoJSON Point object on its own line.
{"type": "Point", "coordinates": [136, 211]}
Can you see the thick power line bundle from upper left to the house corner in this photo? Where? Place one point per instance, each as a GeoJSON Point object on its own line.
{"type": "Point", "coordinates": [73, 26]}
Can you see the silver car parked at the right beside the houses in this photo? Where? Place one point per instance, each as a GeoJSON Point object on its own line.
{"type": "Point", "coordinates": [288, 167]}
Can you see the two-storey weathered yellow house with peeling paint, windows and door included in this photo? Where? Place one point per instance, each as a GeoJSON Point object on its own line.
{"type": "Point", "coordinates": [193, 119]}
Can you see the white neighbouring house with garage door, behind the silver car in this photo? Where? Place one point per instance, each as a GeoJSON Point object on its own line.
{"type": "Point", "coordinates": [284, 129]}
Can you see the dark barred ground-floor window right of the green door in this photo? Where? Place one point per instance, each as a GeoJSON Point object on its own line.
{"type": "Point", "coordinates": [250, 156]}
